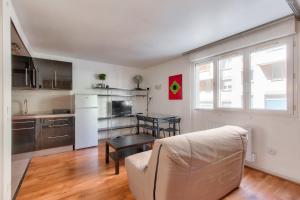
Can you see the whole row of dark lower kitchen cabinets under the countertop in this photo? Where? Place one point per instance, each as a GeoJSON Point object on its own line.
{"type": "Point", "coordinates": [37, 134]}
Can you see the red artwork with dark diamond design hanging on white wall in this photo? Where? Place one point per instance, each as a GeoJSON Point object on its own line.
{"type": "Point", "coordinates": [175, 87]}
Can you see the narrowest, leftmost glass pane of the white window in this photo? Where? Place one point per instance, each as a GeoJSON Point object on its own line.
{"type": "Point", "coordinates": [204, 85]}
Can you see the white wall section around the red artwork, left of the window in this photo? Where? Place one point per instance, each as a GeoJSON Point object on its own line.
{"type": "Point", "coordinates": [157, 80]}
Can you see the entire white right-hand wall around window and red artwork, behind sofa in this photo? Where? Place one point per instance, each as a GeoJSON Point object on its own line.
{"type": "Point", "coordinates": [280, 133]}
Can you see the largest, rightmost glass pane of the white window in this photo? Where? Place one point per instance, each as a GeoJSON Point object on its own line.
{"type": "Point", "coordinates": [269, 79]}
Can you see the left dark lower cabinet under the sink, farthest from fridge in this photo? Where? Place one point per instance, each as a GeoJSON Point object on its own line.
{"type": "Point", "coordinates": [24, 134]}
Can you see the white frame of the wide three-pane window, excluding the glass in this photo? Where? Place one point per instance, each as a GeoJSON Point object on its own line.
{"type": "Point", "coordinates": [246, 52]}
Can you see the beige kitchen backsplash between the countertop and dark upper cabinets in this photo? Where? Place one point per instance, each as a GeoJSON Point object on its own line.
{"type": "Point", "coordinates": [41, 101]}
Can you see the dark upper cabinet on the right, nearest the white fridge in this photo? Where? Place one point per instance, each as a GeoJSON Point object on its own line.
{"type": "Point", "coordinates": [53, 74]}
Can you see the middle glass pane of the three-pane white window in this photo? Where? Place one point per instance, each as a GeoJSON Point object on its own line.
{"type": "Point", "coordinates": [231, 82]}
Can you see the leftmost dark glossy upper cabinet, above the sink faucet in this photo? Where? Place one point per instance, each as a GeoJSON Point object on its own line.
{"type": "Point", "coordinates": [24, 73]}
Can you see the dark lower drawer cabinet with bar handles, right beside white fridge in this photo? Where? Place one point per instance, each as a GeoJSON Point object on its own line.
{"type": "Point", "coordinates": [56, 132]}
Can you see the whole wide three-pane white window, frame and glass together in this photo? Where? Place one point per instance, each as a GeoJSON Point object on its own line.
{"type": "Point", "coordinates": [268, 83]}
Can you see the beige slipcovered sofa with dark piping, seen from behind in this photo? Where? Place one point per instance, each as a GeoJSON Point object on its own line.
{"type": "Point", "coordinates": [204, 165]}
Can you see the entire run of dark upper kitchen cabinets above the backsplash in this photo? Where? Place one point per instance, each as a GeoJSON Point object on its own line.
{"type": "Point", "coordinates": [35, 73]}
